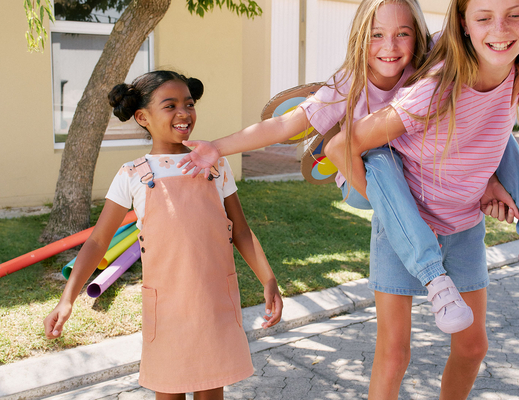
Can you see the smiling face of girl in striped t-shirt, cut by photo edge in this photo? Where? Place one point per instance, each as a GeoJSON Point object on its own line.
{"type": "Point", "coordinates": [493, 27]}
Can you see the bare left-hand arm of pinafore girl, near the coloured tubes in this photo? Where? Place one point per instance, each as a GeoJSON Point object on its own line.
{"type": "Point", "coordinates": [87, 261]}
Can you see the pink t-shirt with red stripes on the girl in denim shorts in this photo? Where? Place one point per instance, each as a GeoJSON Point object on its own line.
{"type": "Point", "coordinates": [484, 121]}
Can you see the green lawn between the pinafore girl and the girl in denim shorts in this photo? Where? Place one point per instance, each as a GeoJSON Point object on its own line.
{"type": "Point", "coordinates": [310, 241]}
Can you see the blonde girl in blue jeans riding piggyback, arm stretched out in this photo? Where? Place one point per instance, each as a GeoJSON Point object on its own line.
{"type": "Point", "coordinates": [388, 41]}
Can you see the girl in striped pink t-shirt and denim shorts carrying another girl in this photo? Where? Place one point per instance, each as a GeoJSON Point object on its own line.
{"type": "Point", "coordinates": [451, 128]}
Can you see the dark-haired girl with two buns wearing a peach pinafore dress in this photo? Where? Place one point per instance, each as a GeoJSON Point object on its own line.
{"type": "Point", "coordinates": [193, 339]}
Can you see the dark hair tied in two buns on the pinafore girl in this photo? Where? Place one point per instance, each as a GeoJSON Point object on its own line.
{"type": "Point", "coordinates": [126, 99]}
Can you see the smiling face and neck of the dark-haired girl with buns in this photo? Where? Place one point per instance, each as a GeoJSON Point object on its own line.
{"type": "Point", "coordinates": [170, 118]}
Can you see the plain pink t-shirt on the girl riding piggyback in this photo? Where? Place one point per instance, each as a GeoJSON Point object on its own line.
{"type": "Point", "coordinates": [328, 105]}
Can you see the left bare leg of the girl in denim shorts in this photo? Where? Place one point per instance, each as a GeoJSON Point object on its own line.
{"type": "Point", "coordinates": [393, 348]}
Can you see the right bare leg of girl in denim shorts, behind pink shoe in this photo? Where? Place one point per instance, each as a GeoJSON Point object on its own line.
{"type": "Point", "coordinates": [468, 349]}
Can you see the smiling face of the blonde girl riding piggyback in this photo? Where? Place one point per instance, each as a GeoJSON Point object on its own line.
{"type": "Point", "coordinates": [392, 44]}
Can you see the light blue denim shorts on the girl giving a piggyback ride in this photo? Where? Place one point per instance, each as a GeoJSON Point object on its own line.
{"type": "Point", "coordinates": [463, 253]}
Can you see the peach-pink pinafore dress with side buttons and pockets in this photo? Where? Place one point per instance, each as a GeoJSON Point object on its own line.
{"type": "Point", "coordinates": [192, 332]}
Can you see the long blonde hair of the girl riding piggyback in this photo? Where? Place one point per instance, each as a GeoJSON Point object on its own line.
{"type": "Point", "coordinates": [356, 65]}
